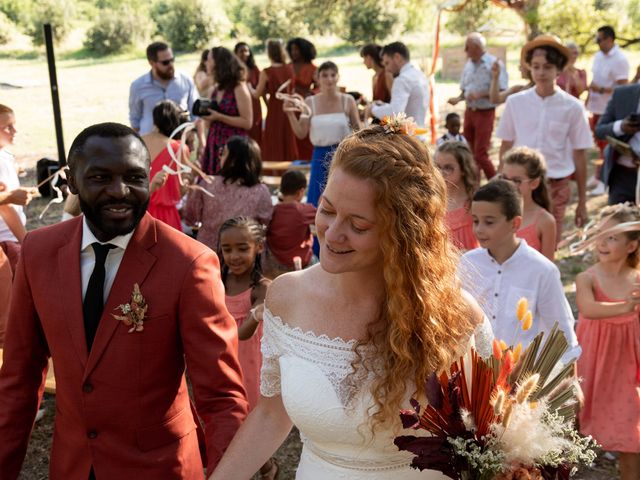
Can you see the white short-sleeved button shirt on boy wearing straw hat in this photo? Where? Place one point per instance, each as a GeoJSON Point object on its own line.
{"type": "Point", "coordinates": [555, 126]}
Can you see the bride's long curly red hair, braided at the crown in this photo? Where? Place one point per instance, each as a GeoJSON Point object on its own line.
{"type": "Point", "coordinates": [423, 318]}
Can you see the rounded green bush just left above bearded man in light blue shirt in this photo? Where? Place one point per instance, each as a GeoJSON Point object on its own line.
{"type": "Point", "coordinates": [114, 31]}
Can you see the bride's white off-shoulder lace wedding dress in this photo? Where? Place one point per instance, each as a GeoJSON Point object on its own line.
{"type": "Point", "coordinates": [329, 406]}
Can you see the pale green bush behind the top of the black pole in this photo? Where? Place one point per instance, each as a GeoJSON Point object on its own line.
{"type": "Point", "coordinates": [59, 13]}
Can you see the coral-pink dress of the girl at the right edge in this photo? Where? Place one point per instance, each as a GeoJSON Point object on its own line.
{"type": "Point", "coordinates": [610, 369]}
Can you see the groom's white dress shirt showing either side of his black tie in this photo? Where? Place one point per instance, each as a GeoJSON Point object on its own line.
{"type": "Point", "coordinates": [111, 264]}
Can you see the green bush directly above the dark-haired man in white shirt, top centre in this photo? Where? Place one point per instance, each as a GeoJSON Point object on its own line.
{"type": "Point", "coordinates": [368, 21]}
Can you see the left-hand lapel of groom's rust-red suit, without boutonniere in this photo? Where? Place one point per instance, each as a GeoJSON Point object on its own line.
{"type": "Point", "coordinates": [70, 291]}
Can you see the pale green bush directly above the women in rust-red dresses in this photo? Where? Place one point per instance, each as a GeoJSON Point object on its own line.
{"type": "Point", "coordinates": [271, 19]}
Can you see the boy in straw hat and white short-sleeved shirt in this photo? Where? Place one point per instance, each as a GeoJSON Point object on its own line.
{"type": "Point", "coordinates": [552, 121]}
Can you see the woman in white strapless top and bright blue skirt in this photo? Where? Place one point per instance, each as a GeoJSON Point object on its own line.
{"type": "Point", "coordinates": [332, 116]}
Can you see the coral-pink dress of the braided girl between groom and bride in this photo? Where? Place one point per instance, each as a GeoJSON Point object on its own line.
{"type": "Point", "coordinates": [248, 350]}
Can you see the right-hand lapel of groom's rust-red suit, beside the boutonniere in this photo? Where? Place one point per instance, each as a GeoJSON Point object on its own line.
{"type": "Point", "coordinates": [134, 268]}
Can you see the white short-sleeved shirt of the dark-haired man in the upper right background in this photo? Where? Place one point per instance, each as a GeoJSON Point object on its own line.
{"type": "Point", "coordinates": [608, 68]}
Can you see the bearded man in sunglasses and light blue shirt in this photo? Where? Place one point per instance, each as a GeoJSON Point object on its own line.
{"type": "Point", "coordinates": [161, 83]}
